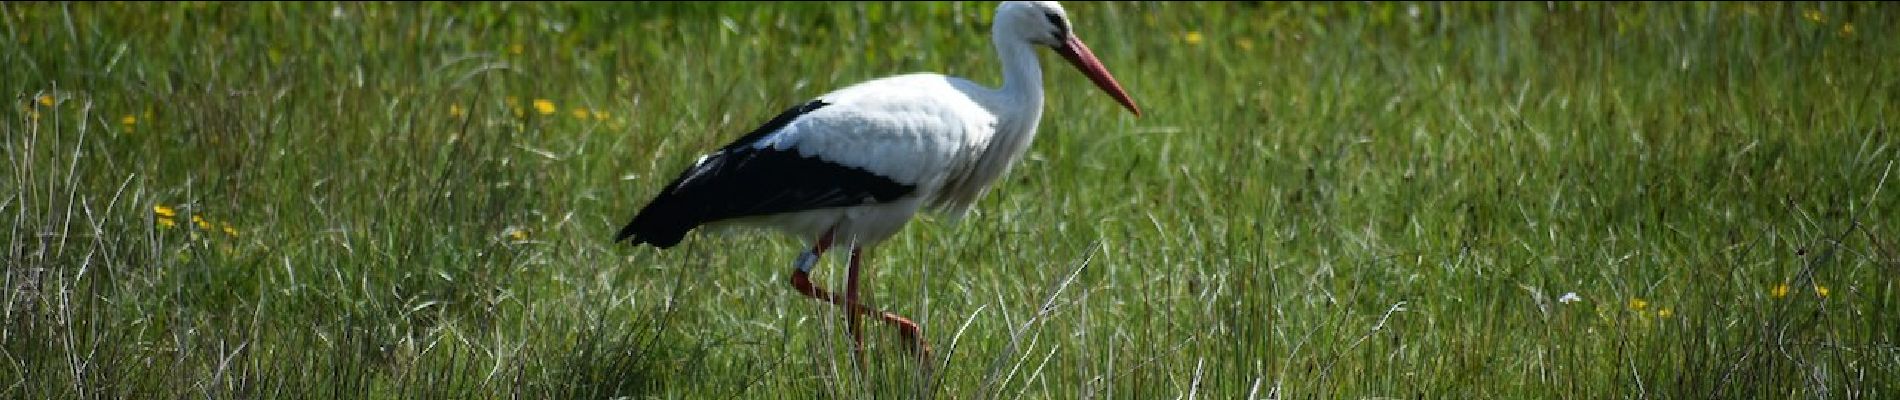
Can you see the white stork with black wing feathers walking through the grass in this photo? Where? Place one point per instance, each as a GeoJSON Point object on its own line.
{"type": "Point", "coordinates": [858, 164]}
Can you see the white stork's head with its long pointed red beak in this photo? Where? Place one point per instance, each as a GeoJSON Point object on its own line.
{"type": "Point", "coordinates": [1046, 24]}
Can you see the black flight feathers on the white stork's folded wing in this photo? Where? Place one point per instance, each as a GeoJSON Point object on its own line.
{"type": "Point", "coordinates": [744, 181]}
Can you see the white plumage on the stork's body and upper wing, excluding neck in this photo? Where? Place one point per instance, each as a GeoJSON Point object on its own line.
{"type": "Point", "coordinates": [902, 130]}
